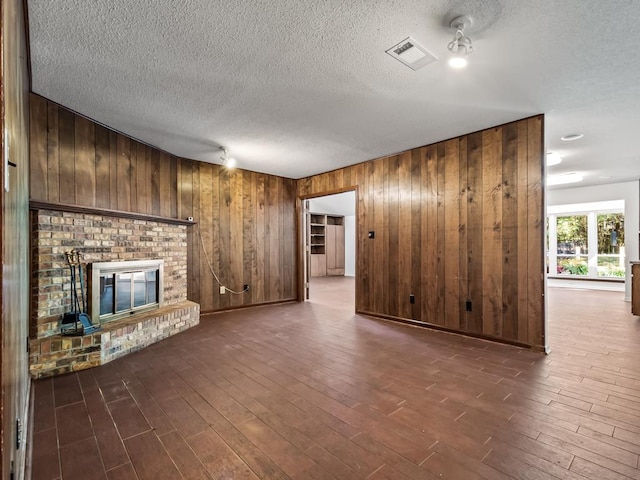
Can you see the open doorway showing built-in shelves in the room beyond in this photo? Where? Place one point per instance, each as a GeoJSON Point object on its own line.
{"type": "Point", "coordinates": [330, 248]}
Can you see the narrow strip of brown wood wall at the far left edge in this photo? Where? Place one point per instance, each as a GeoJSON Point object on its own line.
{"type": "Point", "coordinates": [14, 295]}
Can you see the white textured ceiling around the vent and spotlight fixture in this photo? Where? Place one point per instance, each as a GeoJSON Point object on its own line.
{"type": "Point", "coordinates": [298, 87]}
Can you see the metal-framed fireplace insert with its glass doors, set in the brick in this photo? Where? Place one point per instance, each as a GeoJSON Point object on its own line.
{"type": "Point", "coordinates": [124, 288]}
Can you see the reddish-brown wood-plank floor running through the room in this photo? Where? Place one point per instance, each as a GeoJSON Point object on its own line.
{"type": "Point", "coordinates": [312, 391]}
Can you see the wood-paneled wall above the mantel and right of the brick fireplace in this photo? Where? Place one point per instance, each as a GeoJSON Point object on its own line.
{"type": "Point", "coordinates": [246, 219]}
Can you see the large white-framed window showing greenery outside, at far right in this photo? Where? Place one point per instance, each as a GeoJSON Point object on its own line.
{"type": "Point", "coordinates": [587, 244]}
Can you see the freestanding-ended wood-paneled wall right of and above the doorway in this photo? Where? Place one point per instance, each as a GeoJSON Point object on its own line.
{"type": "Point", "coordinates": [455, 222]}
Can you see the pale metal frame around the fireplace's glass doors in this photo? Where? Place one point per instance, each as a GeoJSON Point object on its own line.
{"type": "Point", "coordinates": [115, 269]}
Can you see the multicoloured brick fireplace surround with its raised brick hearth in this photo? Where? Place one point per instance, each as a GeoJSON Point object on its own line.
{"type": "Point", "coordinates": [101, 238]}
